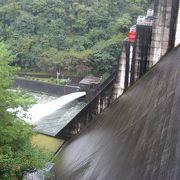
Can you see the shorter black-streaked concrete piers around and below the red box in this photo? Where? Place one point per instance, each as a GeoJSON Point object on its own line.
{"type": "Point", "coordinates": [134, 60]}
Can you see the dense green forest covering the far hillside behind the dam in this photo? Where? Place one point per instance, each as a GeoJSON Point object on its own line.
{"type": "Point", "coordinates": [68, 35]}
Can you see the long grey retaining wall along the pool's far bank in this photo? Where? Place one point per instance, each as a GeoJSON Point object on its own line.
{"type": "Point", "coordinates": [50, 89]}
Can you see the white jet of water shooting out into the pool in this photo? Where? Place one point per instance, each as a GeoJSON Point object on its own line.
{"type": "Point", "coordinates": [39, 111]}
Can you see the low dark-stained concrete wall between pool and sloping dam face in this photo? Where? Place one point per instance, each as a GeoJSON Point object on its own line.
{"type": "Point", "coordinates": [97, 104]}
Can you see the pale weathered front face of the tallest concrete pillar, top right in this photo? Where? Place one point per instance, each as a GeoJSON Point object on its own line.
{"type": "Point", "coordinates": [161, 29]}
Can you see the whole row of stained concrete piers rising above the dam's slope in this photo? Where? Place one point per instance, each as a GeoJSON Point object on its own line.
{"type": "Point", "coordinates": [151, 44]}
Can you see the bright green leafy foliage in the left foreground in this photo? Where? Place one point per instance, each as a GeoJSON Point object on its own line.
{"type": "Point", "coordinates": [16, 152]}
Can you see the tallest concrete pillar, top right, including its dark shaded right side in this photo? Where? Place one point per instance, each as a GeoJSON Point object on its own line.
{"type": "Point", "coordinates": [164, 28]}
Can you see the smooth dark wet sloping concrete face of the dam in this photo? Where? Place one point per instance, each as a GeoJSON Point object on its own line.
{"type": "Point", "coordinates": [137, 137]}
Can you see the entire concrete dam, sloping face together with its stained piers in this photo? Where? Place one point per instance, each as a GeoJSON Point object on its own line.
{"type": "Point", "coordinates": [137, 136]}
